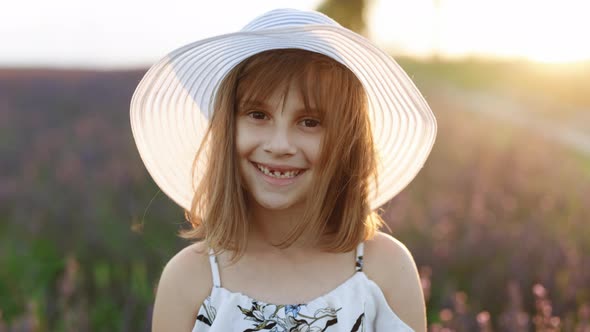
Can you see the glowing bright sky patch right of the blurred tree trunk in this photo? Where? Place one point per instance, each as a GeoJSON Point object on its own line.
{"type": "Point", "coordinates": [541, 31]}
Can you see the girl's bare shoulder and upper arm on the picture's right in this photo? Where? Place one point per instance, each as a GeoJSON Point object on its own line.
{"type": "Point", "coordinates": [389, 263]}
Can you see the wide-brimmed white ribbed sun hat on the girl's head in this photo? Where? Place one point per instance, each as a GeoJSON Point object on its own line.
{"type": "Point", "coordinates": [172, 104]}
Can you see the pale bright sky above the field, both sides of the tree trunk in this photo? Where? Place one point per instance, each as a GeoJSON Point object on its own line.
{"type": "Point", "coordinates": [137, 33]}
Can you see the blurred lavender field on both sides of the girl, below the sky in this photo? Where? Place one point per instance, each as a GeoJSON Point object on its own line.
{"type": "Point", "coordinates": [497, 219]}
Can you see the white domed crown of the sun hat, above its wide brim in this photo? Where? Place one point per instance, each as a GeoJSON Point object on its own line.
{"type": "Point", "coordinates": [286, 17]}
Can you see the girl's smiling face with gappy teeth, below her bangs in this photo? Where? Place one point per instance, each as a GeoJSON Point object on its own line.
{"type": "Point", "coordinates": [278, 144]}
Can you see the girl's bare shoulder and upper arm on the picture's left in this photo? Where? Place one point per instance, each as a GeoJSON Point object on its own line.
{"type": "Point", "coordinates": [184, 284]}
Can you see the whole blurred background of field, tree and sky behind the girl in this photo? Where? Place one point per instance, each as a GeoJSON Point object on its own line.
{"type": "Point", "coordinates": [497, 220]}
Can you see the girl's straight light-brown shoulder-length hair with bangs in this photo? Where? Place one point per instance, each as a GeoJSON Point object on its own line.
{"type": "Point", "coordinates": [338, 214]}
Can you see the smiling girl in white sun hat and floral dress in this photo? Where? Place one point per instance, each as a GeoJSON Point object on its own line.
{"type": "Point", "coordinates": [280, 141]}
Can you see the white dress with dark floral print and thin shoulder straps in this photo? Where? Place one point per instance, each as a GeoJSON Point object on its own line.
{"type": "Point", "coordinates": [358, 304]}
